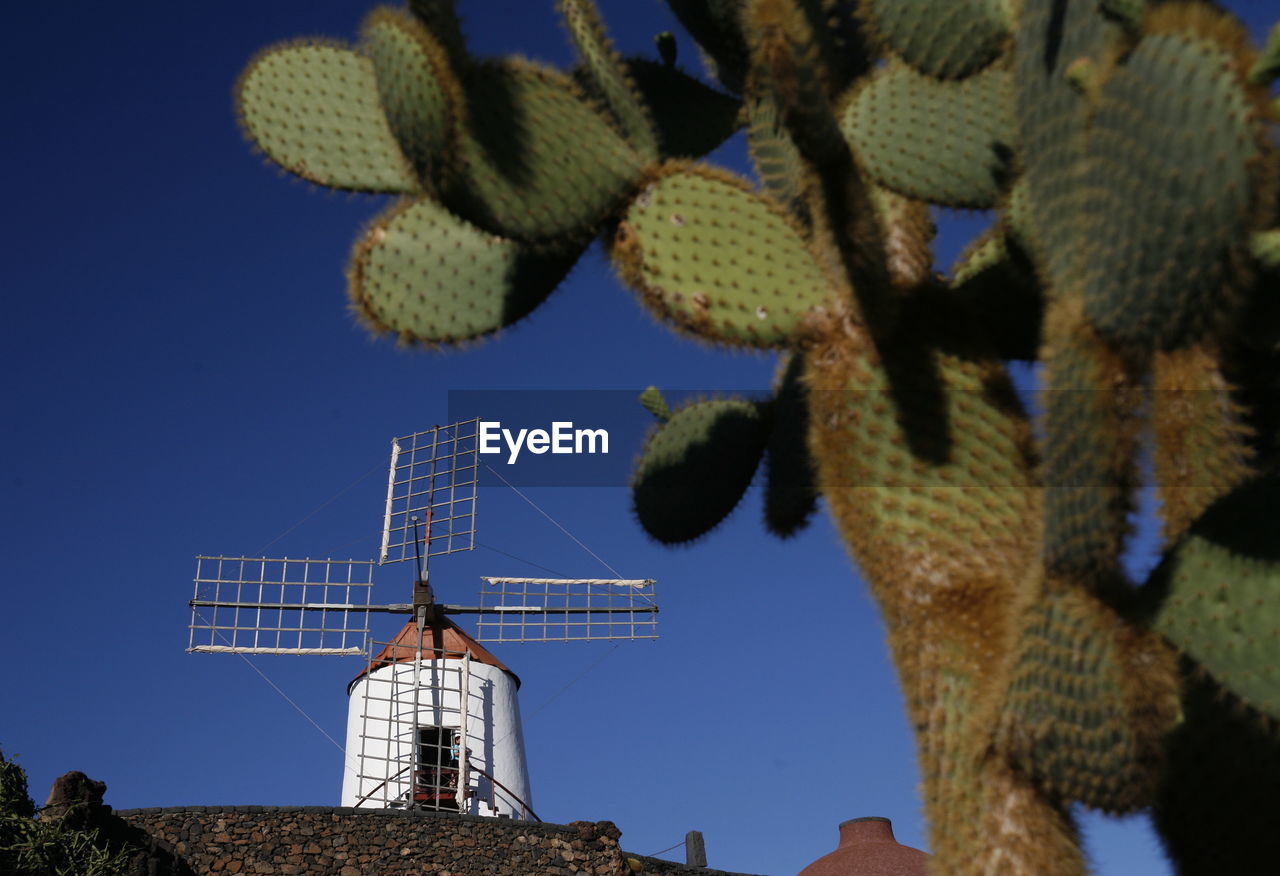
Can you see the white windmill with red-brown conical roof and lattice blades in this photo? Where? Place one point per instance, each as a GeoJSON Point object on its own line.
{"type": "Point", "coordinates": [433, 719]}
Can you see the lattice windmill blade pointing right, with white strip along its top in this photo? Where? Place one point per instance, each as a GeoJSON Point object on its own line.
{"type": "Point", "coordinates": [566, 610]}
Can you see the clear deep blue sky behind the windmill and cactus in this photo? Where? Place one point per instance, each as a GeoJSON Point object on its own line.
{"type": "Point", "coordinates": [181, 377]}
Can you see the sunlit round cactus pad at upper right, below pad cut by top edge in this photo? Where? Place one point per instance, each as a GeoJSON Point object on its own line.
{"type": "Point", "coordinates": [945, 143]}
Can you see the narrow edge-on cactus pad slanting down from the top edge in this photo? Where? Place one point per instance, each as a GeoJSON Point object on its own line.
{"type": "Point", "coordinates": [610, 76]}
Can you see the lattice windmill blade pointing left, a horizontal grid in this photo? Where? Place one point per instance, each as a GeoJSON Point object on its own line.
{"type": "Point", "coordinates": [263, 606]}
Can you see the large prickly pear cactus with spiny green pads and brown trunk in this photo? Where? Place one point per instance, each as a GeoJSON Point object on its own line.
{"type": "Point", "coordinates": [1130, 153]}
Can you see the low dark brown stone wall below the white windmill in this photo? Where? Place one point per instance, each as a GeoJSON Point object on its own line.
{"type": "Point", "coordinates": [316, 841]}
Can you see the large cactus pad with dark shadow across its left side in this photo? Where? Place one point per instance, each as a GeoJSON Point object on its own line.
{"type": "Point", "coordinates": [536, 161]}
